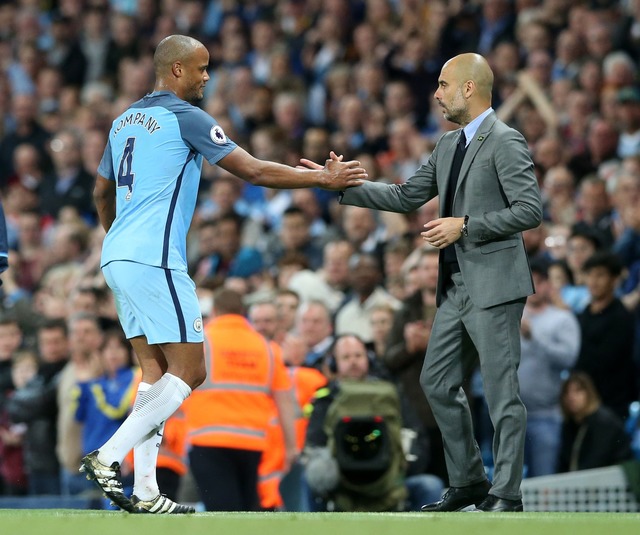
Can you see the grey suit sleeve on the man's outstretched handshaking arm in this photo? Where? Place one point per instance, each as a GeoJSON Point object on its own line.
{"type": "Point", "coordinates": [402, 198]}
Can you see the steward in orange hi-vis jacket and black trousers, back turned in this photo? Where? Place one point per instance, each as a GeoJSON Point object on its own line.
{"type": "Point", "coordinates": [228, 415]}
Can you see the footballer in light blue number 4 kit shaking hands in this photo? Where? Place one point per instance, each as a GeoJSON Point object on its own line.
{"type": "Point", "coordinates": [145, 195]}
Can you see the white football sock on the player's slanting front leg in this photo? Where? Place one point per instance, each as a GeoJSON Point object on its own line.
{"type": "Point", "coordinates": [150, 411]}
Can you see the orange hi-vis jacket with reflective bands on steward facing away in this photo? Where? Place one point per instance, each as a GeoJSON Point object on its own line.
{"type": "Point", "coordinates": [232, 408]}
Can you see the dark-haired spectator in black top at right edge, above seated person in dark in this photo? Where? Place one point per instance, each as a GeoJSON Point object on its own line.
{"type": "Point", "coordinates": [607, 327]}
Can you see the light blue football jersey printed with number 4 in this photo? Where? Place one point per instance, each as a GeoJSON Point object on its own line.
{"type": "Point", "coordinates": [154, 154]}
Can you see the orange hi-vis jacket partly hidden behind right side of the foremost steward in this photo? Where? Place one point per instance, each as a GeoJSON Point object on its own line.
{"type": "Point", "coordinates": [305, 382]}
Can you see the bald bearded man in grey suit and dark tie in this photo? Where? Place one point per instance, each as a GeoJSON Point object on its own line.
{"type": "Point", "coordinates": [488, 196]}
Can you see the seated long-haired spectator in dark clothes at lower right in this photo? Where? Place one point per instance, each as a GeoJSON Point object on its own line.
{"type": "Point", "coordinates": [593, 436]}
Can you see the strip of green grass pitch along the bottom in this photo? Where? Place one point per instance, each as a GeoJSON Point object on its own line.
{"type": "Point", "coordinates": [75, 522]}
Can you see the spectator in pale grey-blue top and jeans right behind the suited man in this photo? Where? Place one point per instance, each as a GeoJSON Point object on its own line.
{"type": "Point", "coordinates": [550, 339]}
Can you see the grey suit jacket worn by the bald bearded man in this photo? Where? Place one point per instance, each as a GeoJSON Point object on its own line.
{"type": "Point", "coordinates": [496, 188]}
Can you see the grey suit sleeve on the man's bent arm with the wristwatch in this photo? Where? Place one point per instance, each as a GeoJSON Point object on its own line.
{"type": "Point", "coordinates": [514, 168]}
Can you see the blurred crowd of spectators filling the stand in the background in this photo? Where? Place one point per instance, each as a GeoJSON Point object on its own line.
{"type": "Point", "coordinates": [293, 78]}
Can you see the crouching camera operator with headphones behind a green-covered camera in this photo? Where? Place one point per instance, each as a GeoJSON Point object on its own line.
{"type": "Point", "coordinates": [355, 459]}
